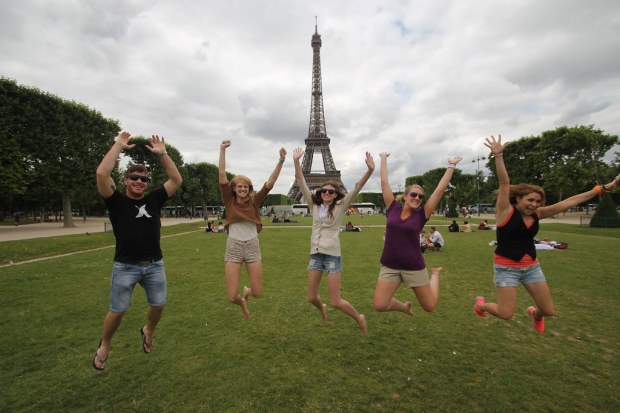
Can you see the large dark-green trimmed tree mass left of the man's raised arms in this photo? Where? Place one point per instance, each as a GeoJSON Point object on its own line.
{"type": "Point", "coordinates": [51, 148]}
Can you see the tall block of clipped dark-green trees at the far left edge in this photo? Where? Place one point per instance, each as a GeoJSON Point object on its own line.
{"type": "Point", "coordinates": [58, 143]}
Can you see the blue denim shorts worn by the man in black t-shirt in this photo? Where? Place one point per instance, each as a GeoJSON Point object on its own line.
{"type": "Point", "coordinates": [151, 276]}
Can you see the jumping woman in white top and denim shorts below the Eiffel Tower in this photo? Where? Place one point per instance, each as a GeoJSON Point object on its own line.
{"type": "Point", "coordinates": [328, 206]}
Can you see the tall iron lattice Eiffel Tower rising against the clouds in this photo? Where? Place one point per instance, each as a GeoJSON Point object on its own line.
{"type": "Point", "coordinates": [317, 140]}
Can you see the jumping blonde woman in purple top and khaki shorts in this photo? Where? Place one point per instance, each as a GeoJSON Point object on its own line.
{"type": "Point", "coordinates": [401, 260]}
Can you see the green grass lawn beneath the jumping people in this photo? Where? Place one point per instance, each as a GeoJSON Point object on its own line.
{"type": "Point", "coordinates": [206, 358]}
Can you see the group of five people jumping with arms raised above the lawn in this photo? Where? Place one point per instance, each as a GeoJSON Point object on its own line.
{"type": "Point", "coordinates": [138, 257]}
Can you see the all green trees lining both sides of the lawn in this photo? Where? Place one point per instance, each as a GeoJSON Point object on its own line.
{"type": "Point", "coordinates": [52, 148]}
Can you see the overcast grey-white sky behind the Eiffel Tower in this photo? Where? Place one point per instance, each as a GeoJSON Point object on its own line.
{"type": "Point", "coordinates": [423, 80]}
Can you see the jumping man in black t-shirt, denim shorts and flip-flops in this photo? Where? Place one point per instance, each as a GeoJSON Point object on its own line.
{"type": "Point", "coordinates": [135, 218]}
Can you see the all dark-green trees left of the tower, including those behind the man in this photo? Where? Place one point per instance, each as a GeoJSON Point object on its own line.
{"type": "Point", "coordinates": [52, 147]}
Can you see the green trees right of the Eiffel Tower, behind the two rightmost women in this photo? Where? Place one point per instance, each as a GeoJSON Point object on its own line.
{"type": "Point", "coordinates": [565, 161]}
